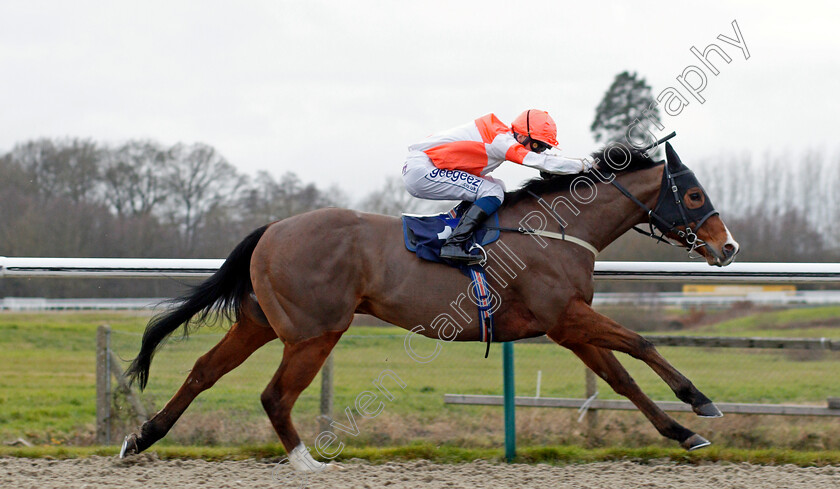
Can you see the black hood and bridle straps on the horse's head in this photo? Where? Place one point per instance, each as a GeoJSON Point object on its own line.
{"type": "Point", "coordinates": [670, 213]}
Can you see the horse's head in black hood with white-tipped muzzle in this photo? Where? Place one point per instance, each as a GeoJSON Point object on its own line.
{"type": "Point", "coordinates": [685, 214]}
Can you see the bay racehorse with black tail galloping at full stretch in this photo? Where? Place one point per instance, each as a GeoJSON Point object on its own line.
{"type": "Point", "coordinates": [302, 280]}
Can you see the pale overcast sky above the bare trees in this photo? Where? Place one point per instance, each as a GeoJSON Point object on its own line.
{"type": "Point", "coordinates": [336, 91]}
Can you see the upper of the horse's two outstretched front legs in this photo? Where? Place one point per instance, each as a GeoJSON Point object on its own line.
{"type": "Point", "coordinates": [585, 326]}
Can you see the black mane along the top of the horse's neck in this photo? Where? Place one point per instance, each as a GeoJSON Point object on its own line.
{"type": "Point", "coordinates": [548, 183]}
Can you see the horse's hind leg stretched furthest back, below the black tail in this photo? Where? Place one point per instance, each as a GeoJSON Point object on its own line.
{"type": "Point", "coordinates": [243, 338]}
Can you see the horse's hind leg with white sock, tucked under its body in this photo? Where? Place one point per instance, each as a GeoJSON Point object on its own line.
{"type": "Point", "coordinates": [301, 362]}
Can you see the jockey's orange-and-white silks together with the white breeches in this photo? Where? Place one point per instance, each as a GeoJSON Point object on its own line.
{"type": "Point", "coordinates": [454, 164]}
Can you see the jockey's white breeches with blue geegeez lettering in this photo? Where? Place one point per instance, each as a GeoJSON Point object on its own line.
{"type": "Point", "coordinates": [425, 181]}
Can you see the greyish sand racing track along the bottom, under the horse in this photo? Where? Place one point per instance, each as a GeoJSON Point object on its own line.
{"type": "Point", "coordinates": [147, 471]}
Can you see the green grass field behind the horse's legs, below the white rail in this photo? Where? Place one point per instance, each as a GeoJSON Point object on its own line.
{"type": "Point", "coordinates": [47, 386]}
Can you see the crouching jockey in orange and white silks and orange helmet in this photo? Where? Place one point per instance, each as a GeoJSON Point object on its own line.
{"type": "Point", "coordinates": [454, 165]}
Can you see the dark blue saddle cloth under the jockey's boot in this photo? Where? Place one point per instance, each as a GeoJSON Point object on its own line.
{"type": "Point", "coordinates": [425, 235]}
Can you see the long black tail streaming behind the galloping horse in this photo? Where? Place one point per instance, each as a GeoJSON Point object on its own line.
{"type": "Point", "coordinates": [221, 293]}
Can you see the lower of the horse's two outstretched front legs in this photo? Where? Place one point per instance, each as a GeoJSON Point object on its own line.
{"type": "Point", "coordinates": [606, 366]}
